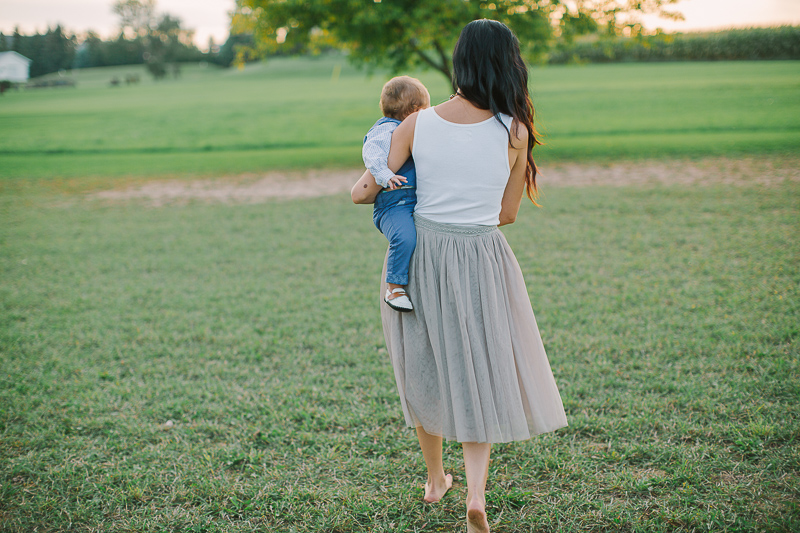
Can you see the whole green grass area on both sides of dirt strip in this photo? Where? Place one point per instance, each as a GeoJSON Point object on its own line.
{"type": "Point", "coordinates": [221, 367]}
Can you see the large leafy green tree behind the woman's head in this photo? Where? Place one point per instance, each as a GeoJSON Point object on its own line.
{"type": "Point", "coordinates": [403, 34]}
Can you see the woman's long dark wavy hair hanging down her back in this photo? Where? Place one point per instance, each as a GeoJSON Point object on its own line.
{"type": "Point", "coordinates": [490, 74]}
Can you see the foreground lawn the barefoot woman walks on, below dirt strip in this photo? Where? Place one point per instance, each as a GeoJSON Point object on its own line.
{"type": "Point", "coordinates": [670, 316]}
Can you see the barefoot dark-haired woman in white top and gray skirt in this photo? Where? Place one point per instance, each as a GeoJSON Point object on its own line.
{"type": "Point", "coordinates": [469, 362]}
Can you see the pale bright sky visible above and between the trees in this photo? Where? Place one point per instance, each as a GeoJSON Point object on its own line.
{"type": "Point", "coordinates": [209, 18]}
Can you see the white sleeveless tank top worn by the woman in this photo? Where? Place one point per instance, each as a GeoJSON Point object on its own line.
{"type": "Point", "coordinates": [462, 169]}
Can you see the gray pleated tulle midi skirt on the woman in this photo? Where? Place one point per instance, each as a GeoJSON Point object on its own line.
{"type": "Point", "coordinates": [469, 362]}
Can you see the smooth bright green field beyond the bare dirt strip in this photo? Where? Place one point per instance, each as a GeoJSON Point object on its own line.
{"type": "Point", "coordinates": [294, 113]}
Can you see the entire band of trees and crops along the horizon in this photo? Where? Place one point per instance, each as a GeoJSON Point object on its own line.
{"type": "Point", "coordinates": [400, 35]}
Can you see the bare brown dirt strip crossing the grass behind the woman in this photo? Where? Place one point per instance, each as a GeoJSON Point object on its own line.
{"type": "Point", "coordinates": [285, 185]}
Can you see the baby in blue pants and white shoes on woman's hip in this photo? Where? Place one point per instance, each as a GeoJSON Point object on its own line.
{"type": "Point", "coordinates": [393, 213]}
